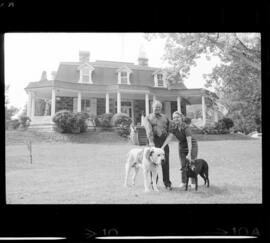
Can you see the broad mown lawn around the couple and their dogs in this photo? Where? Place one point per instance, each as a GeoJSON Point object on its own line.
{"type": "Point", "coordinates": [93, 173]}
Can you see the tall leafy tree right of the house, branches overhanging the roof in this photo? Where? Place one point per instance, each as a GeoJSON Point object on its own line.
{"type": "Point", "coordinates": [237, 80]}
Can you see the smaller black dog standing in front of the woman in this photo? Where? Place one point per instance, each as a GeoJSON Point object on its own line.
{"type": "Point", "coordinates": [195, 168]}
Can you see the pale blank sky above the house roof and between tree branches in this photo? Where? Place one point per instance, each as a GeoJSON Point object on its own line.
{"type": "Point", "coordinates": [26, 55]}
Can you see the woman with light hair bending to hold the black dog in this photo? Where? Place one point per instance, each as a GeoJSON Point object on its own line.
{"type": "Point", "coordinates": [188, 146]}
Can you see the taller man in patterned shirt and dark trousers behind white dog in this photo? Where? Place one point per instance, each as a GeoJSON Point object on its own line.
{"type": "Point", "coordinates": [157, 127]}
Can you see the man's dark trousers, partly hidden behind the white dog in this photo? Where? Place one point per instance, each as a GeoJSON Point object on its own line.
{"type": "Point", "coordinates": [158, 141]}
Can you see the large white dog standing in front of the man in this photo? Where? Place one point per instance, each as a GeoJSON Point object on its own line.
{"type": "Point", "coordinates": [148, 159]}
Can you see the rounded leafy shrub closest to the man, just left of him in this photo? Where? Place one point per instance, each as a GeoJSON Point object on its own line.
{"type": "Point", "coordinates": [122, 122]}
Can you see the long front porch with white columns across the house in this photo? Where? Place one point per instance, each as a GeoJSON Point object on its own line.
{"type": "Point", "coordinates": [44, 102]}
